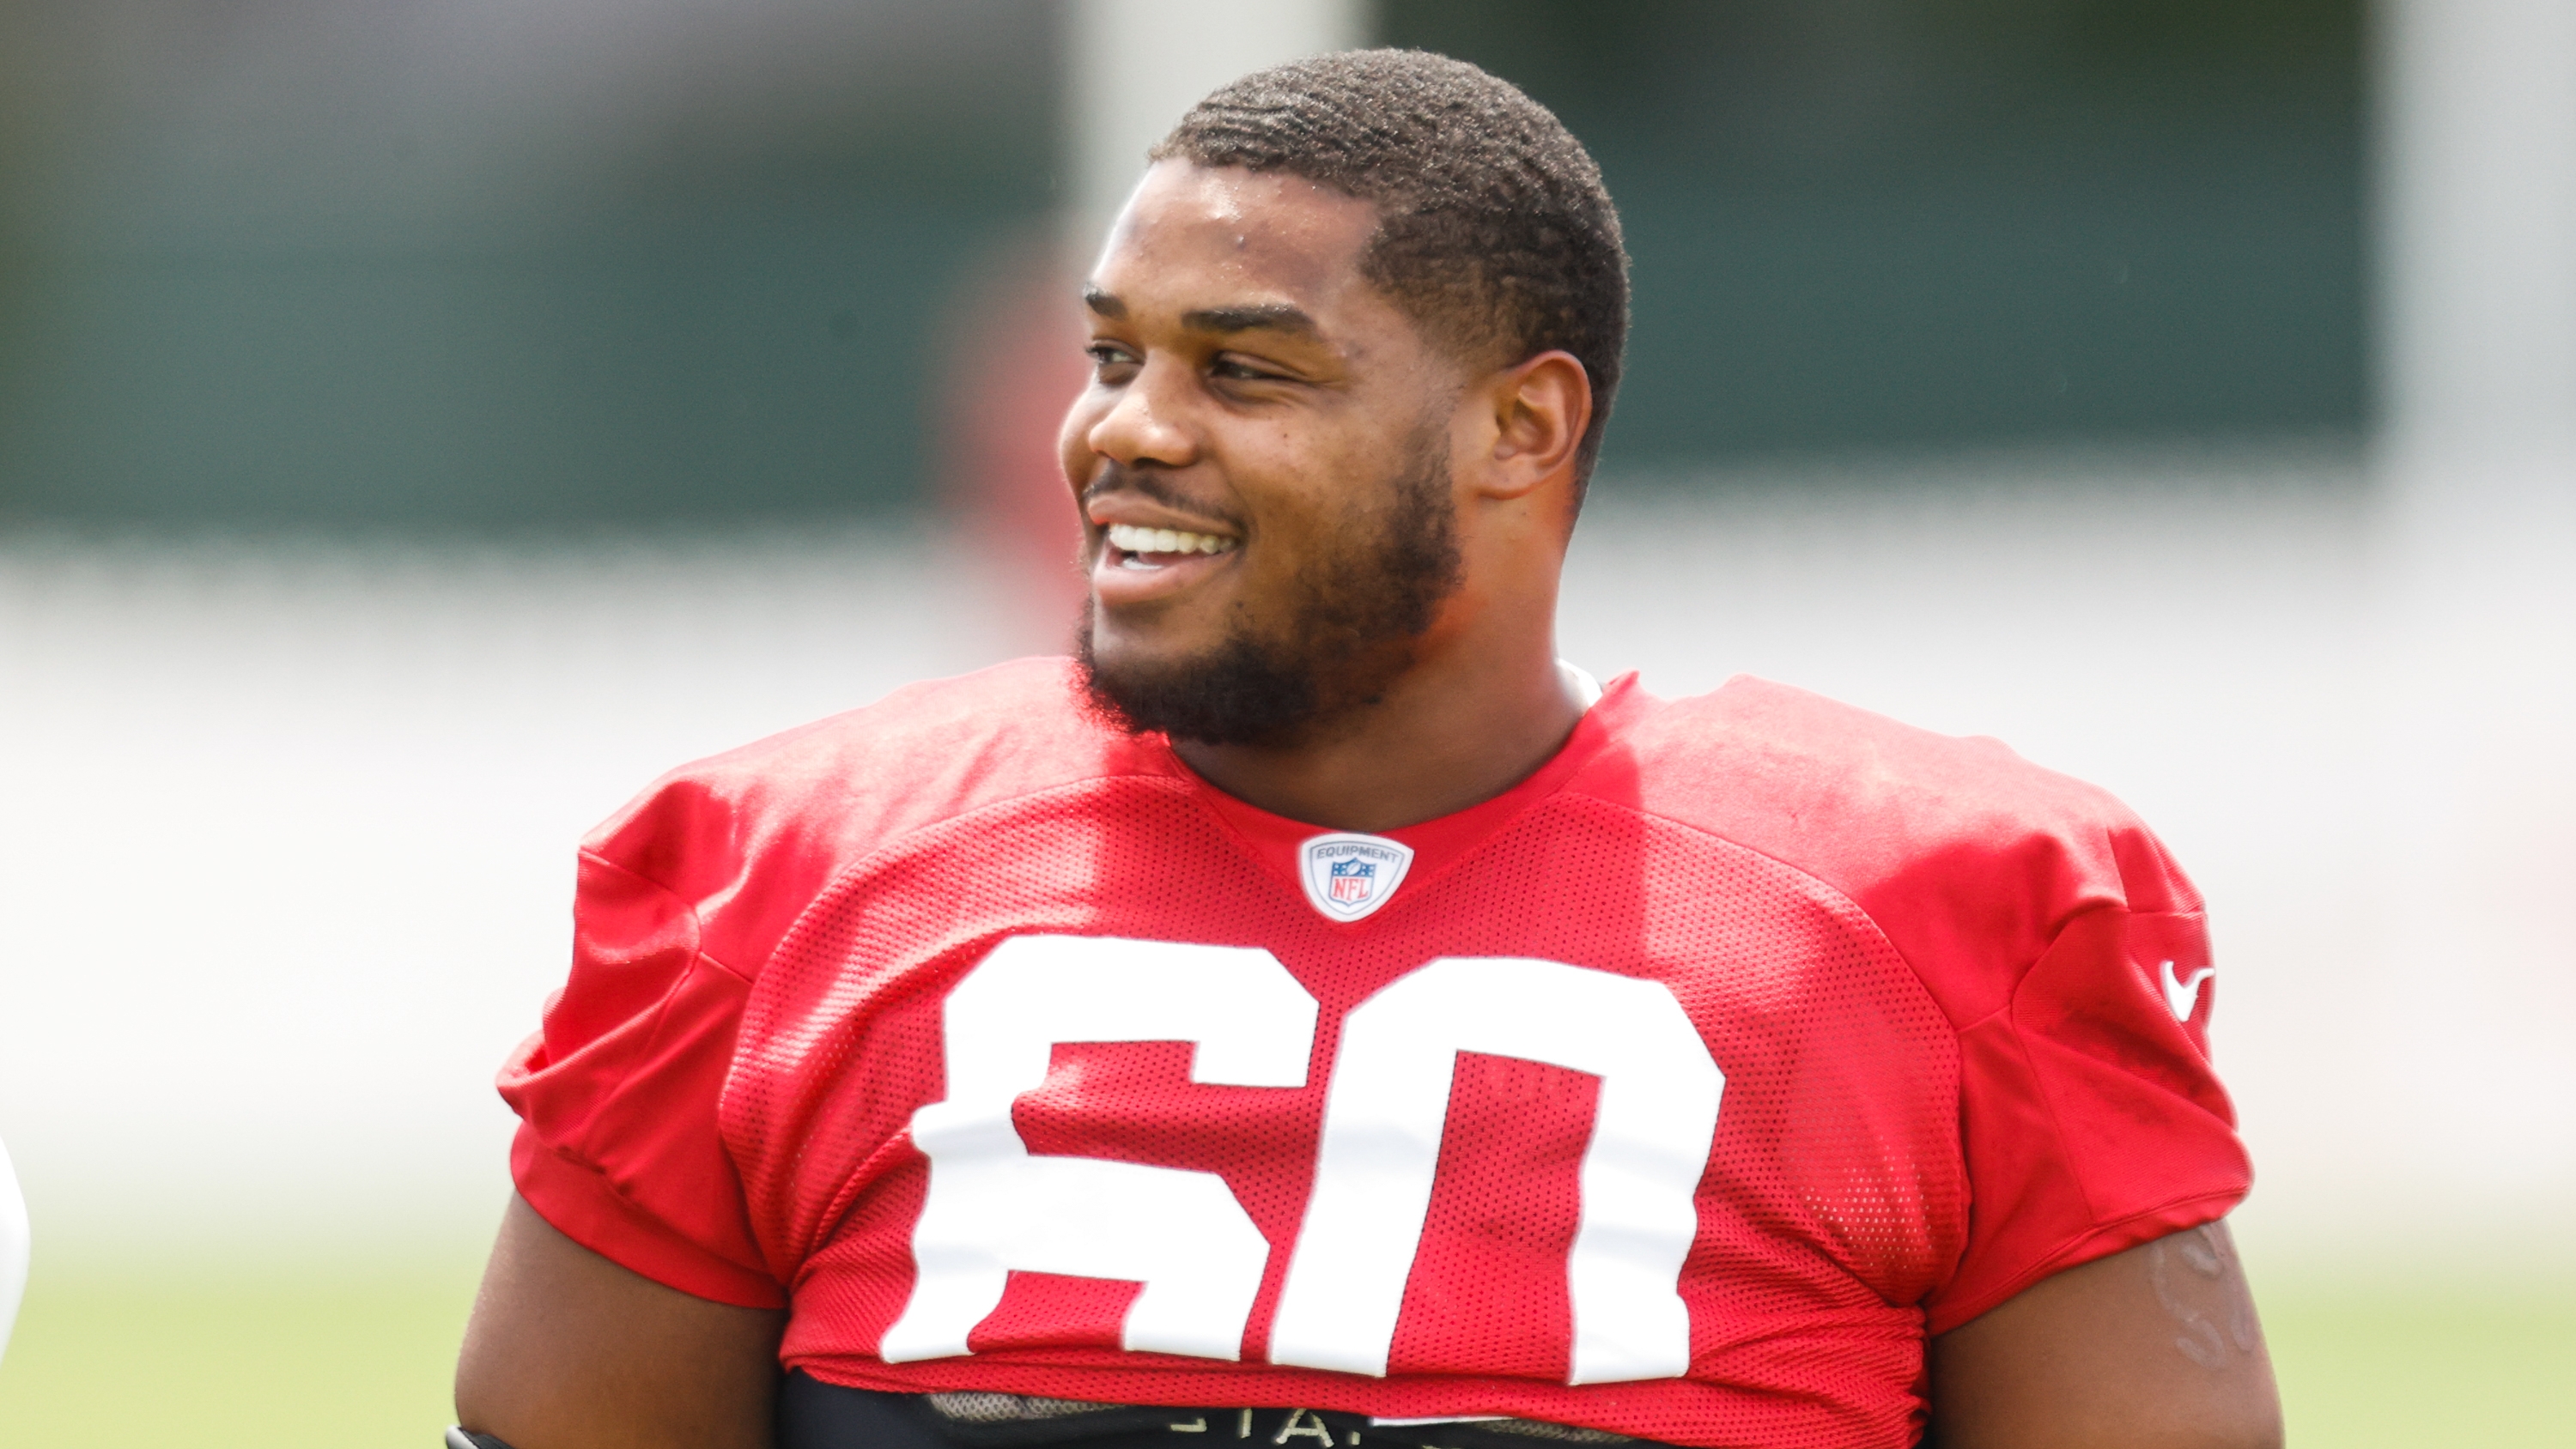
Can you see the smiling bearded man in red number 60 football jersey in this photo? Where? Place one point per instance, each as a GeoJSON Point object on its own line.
{"type": "Point", "coordinates": [1320, 1015]}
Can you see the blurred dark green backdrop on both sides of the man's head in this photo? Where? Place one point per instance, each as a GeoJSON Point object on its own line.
{"type": "Point", "coordinates": [321, 264]}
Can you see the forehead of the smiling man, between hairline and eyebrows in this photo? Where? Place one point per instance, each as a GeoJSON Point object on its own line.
{"type": "Point", "coordinates": [1197, 235]}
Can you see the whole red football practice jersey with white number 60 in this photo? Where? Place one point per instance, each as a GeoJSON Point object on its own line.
{"type": "Point", "coordinates": [1678, 1093]}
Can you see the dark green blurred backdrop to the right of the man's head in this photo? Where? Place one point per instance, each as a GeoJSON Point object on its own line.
{"type": "Point", "coordinates": [1928, 223]}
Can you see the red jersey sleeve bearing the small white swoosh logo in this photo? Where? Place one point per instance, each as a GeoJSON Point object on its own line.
{"type": "Point", "coordinates": [2090, 1113]}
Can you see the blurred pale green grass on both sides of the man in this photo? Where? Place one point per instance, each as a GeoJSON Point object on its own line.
{"type": "Point", "coordinates": [359, 1360]}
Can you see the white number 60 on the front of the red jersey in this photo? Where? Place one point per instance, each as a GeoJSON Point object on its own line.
{"type": "Point", "coordinates": [1181, 1234]}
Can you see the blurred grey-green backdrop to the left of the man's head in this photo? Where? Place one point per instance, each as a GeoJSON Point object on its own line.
{"type": "Point", "coordinates": [323, 264]}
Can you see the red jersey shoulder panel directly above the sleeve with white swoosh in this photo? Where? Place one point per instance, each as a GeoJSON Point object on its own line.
{"type": "Point", "coordinates": [1964, 853]}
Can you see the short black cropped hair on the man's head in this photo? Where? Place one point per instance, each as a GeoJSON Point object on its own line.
{"type": "Point", "coordinates": [1495, 230]}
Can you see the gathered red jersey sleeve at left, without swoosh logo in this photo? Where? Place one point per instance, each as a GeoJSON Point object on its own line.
{"type": "Point", "coordinates": [617, 1095]}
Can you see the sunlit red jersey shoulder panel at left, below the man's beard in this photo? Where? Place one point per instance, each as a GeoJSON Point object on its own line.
{"type": "Point", "coordinates": [751, 835]}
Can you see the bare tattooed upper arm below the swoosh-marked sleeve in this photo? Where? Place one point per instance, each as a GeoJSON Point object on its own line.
{"type": "Point", "coordinates": [2145, 1350]}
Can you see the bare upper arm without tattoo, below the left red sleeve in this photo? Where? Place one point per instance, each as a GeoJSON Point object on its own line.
{"type": "Point", "coordinates": [573, 1352]}
